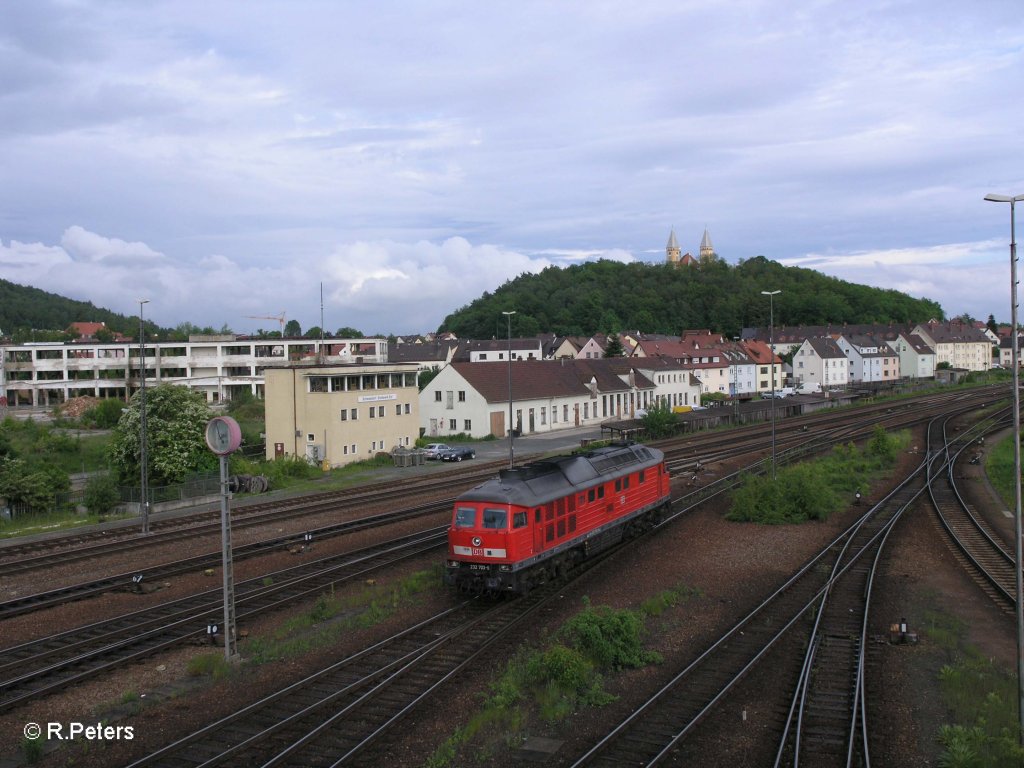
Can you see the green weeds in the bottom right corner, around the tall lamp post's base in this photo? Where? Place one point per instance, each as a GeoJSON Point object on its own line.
{"type": "Point", "coordinates": [980, 699]}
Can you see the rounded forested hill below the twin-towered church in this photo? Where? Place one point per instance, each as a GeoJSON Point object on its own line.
{"type": "Point", "coordinates": [608, 296]}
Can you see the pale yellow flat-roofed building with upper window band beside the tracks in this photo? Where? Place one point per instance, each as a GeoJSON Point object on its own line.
{"type": "Point", "coordinates": [340, 413]}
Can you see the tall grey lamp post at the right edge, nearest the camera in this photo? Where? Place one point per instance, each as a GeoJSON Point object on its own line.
{"type": "Point", "coordinates": [1015, 364]}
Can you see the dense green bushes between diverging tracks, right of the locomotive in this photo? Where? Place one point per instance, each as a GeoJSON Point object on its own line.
{"type": "Point", "coordinates": [815, 490]}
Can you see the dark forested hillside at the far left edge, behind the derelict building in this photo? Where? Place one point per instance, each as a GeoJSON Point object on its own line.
{"type": "Point", "coordinates": [23, 309]}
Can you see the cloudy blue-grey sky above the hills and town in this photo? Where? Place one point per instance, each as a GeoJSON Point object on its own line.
{"type": "Point", "coordinates": [226, 159]}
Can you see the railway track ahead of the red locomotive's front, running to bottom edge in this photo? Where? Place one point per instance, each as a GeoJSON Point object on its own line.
{"type": "Point", "coordinates": [333, 715]}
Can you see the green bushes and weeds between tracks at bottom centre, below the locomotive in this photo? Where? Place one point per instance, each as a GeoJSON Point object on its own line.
{"type": "Point", "coordinates": [541, 688]}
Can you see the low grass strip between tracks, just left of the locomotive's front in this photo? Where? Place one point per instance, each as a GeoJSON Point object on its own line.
{"type": "Point", "coordinates": [334, 615]}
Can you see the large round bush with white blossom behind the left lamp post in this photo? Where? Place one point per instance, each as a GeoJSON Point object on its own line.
{"type": "Point", "coordinates": [176, 425]}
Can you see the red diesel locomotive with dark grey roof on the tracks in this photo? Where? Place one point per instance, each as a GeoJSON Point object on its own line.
{"type": "Point", "coordinates": [534, 523]}
